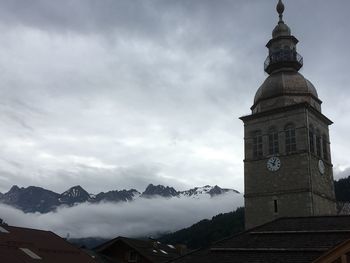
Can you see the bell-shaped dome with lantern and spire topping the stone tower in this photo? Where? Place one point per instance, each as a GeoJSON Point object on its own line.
{"type": "Point", "coordinates": [285, 85]}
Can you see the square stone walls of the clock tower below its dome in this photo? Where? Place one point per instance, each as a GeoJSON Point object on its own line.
{"type": "Point", "coordinates": [298, 187]}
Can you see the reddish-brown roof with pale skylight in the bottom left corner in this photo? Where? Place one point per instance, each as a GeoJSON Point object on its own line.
{"type": "Point", "coordinates": [23, 245]}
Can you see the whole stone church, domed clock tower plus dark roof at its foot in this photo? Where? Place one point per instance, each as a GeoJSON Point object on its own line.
{"type": "Point", "coordinates": [290, 206]}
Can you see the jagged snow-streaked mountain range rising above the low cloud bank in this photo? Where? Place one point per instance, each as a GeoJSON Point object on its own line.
{"type": "Point", "coordinates": [37, 199]}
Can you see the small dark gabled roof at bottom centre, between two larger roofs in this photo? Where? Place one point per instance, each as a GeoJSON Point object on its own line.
{"type": "Point", "coordinates": [151, 249]}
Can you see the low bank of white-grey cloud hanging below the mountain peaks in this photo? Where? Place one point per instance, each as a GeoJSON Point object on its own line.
{"type": "Point", "coordinates": [139, 218]}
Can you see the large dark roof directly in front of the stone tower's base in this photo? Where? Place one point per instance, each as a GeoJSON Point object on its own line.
{"type": "Point", "coordinates": [287, 240]}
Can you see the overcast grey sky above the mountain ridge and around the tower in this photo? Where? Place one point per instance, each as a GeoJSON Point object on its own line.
{"type": "Point", "coordinates": [113, 94]}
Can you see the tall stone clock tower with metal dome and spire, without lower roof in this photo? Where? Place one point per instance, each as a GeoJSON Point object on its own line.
{"type": "Point", "coordinates": [287, 164]}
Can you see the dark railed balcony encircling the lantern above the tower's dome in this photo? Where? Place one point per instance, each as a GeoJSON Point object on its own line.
{"type": "Point", "coordinates": [283, 58]}
